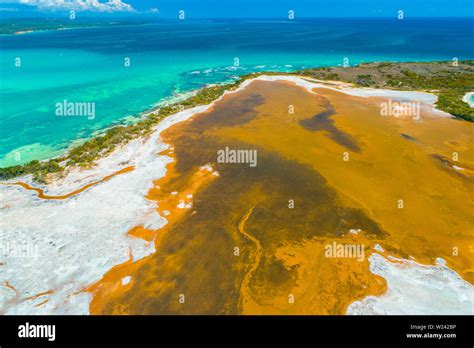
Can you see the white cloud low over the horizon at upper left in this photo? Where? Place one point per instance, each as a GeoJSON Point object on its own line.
{"type": "Point", "coordinates": [81, 5]}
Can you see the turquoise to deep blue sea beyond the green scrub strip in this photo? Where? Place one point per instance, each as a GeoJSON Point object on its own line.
{"type": "Point", "coordinates": [173, 57]}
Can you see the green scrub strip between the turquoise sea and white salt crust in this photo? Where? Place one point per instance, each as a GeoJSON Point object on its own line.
{"type": "Point", "coordinates": [449, 82]}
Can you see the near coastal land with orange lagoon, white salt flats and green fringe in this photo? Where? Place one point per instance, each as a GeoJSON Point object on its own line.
{"type": "Point", "coordinates": [168, 229]}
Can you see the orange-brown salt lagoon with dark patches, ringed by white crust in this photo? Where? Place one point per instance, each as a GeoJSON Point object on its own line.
{"type": "Point", "coordinates": [331, 171]}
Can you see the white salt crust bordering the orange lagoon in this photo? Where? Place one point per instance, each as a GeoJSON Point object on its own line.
{"type": "Point", "coordinates": [75, 241]}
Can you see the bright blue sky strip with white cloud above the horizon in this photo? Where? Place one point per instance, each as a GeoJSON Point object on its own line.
{"type": "Point", "coordinates": [244, 8]}
